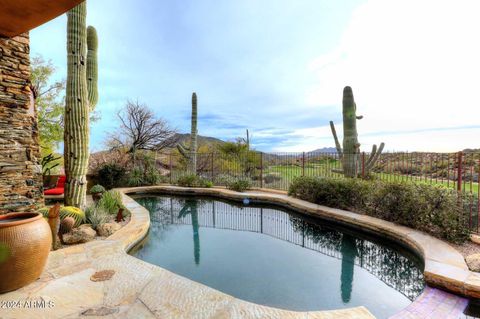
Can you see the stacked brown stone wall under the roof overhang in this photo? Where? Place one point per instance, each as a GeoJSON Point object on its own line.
{"type": "Point", "coordinates": [20, 172]}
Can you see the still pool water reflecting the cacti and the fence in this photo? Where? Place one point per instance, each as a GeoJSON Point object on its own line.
{"type": "Point", "coordinates": [274, 257]}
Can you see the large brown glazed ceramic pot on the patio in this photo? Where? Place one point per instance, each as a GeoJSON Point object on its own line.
{"type": "Point", "coordinates": [25, 241]}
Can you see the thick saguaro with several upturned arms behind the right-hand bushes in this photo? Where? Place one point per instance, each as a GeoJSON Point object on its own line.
{"type": "Point", "coordinates": [350, 154]}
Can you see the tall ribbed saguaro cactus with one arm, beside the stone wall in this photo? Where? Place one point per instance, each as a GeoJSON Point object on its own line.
{"type": "Point", "coordinates": [78, 105]}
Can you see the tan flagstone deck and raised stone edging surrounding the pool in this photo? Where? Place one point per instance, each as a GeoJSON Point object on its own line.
{"type": "Point", "coordinates": [141, 290]}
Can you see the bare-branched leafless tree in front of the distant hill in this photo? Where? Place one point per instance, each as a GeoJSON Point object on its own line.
{"type": "Point", "coordinates": [140, 129]}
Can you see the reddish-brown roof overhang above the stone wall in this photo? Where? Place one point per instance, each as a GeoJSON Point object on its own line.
{"type": "Point", "coordinates": [19, 16]}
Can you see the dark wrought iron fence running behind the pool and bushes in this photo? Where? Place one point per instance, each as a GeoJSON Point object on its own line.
{"type": "Point", "coordinates": [459, 171]}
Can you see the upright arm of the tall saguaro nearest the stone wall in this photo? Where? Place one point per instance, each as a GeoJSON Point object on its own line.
{"type": "Point", "coordinates": [92, 67]}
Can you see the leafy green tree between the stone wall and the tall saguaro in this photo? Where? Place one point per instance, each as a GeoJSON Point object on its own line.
{"type": "Point", "coordinates": [49, 100]}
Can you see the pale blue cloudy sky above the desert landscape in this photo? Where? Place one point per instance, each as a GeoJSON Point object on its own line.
{"type": "Point", "coordinates": [278, 68]}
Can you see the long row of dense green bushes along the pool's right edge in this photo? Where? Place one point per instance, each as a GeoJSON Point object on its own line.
{"type": "Point", "coordinates": [430, 208]}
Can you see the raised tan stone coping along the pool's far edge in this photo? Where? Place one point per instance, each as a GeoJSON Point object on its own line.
{"type": "Point", "coordinates": [445, 267]}
